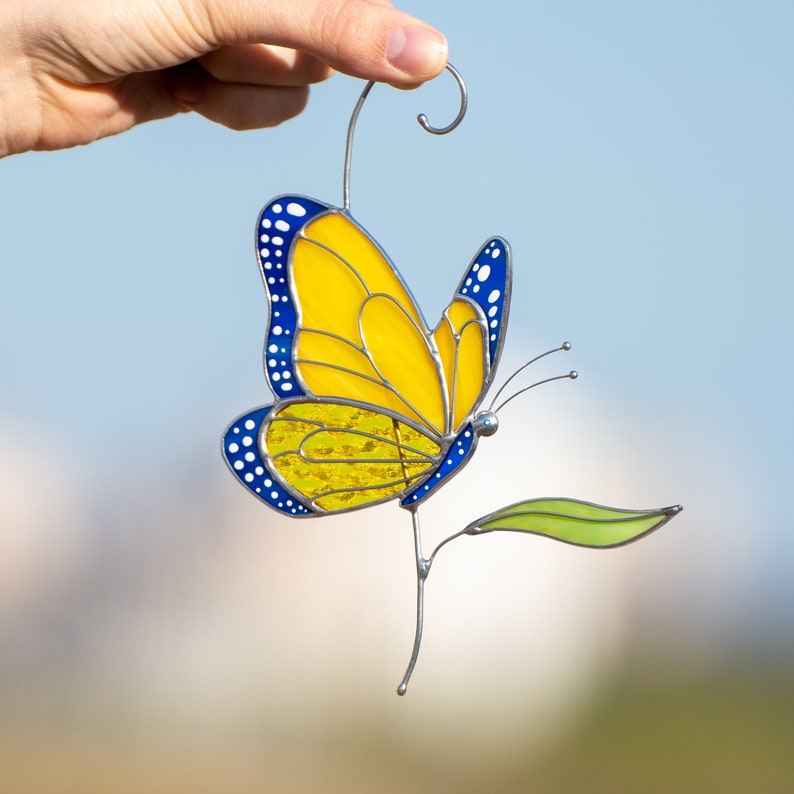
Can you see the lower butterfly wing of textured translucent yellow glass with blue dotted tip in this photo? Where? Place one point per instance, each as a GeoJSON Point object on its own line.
{"type": "Point", "coordinates": [307, 458]}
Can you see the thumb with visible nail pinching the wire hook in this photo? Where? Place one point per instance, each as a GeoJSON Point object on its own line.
{"type": "Point", "coordinates": [363, 38]}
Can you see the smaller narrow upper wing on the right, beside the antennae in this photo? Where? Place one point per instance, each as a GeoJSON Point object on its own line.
{"type": "Point", "coordinates": [470, 334]}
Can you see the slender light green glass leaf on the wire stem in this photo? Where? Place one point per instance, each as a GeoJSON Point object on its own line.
{"type": "Point", "coordinates": [576, 522]}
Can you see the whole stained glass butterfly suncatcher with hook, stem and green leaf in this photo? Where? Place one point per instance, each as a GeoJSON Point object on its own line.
{"type": "Point", "coordinates": [370, 402]}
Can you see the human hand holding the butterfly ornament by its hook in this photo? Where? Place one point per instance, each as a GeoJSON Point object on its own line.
{"type": "Point", "coordinates": [72, 71]}
